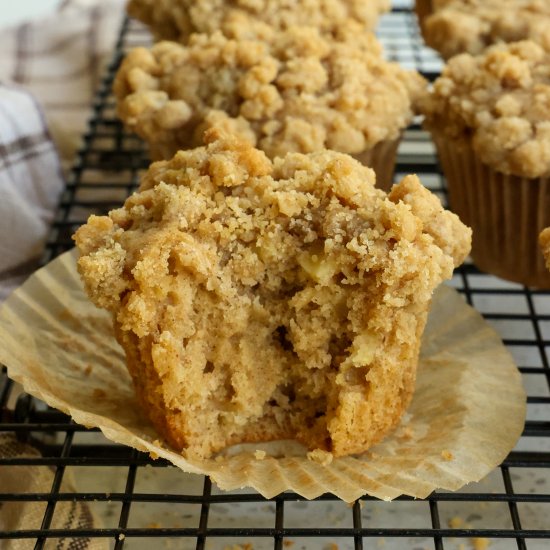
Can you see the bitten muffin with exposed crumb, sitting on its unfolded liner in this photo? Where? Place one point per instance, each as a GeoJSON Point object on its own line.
{"type": "Point", "coordinates": [260, 300]}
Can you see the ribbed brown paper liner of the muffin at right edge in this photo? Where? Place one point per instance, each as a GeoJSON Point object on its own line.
{"type": "Point", "coordinates": [505, 212]}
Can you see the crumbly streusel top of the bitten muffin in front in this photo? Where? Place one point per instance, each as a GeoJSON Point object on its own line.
{"type": "Point", "coordinates": [230, 220]}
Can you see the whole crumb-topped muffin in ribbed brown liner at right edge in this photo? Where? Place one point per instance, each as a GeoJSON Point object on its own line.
{"type": "Point", "coordinates": [489, 116]}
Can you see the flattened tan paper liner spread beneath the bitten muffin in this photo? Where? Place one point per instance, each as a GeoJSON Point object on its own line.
{"type": "Point", "coordinates": [466, 415]}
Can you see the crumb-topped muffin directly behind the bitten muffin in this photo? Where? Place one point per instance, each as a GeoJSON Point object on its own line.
{"type": "Point", "coordinates": [300, 93]}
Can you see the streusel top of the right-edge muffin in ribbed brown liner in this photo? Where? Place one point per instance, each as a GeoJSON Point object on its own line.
{"type": "Point", "coordinates": [499, 102]}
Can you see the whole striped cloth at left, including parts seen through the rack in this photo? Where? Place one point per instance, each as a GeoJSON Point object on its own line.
{"type": "Point", "coordinates": [49, 71]}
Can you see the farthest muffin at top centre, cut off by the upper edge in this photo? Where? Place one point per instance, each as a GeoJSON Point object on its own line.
{"type": "Point", "coordinates": [178, 19]}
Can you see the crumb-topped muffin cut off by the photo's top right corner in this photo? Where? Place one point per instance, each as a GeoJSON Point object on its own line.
{"type": "Point", "coordinates": [471, 25]}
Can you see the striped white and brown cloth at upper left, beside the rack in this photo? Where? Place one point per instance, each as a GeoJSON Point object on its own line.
{"type": "Point", "coordinates": [49, 71]}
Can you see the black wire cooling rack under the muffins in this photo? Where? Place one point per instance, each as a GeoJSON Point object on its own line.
{"type": "Point", "coordinates": [142, 503]}
